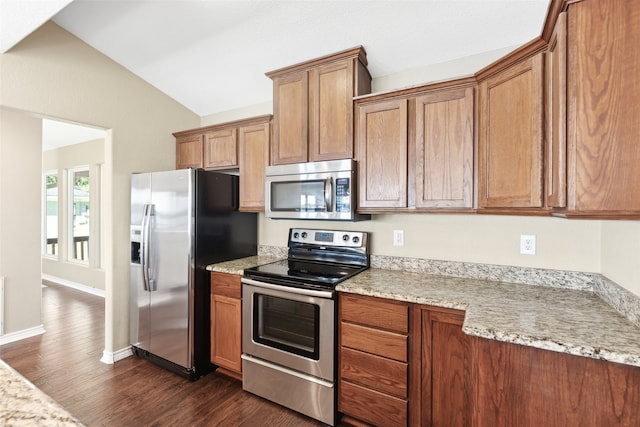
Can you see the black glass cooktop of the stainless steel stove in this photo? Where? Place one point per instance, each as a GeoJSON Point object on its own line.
{"type": "Point", "coordinates": [312, 274]}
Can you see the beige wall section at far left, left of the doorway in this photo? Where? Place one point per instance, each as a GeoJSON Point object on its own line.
{"type": "Point", "coordinates": [20, 195]}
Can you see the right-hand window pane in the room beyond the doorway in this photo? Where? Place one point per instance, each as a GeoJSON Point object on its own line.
{"type": "Point", "coordinates": [80, 215]}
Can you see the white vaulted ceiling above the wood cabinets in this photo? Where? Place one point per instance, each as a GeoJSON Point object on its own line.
{"type": "Point", "coordinates": [211, 55]}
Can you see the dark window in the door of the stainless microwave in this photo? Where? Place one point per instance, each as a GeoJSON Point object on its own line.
{"type": "Point", "coordinates": [298, 196]}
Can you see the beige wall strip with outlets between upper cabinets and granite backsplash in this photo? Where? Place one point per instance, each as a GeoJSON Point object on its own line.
{"type": "Point", "coordinates": [485, 239]}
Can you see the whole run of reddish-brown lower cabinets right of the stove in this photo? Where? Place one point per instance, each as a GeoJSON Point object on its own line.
{"type": "Point", "coordinates": [404, 364]}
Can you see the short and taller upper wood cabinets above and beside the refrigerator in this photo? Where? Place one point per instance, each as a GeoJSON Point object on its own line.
{"type": "Point", "coordinates": [241, 145]}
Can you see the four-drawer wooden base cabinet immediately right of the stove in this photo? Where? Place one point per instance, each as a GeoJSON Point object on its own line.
{"type": "Point", "coordinates": [373, 358]}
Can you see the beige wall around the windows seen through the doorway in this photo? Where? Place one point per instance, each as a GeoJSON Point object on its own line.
{"type": "Point", "coordinates": [89, 154]}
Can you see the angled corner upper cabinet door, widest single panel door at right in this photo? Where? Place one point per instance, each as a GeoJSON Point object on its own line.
{"type": "Point", "coordinates": [510, 137]}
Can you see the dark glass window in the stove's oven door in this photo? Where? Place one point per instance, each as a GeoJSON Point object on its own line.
{"type": "Point", "coordinates": [288, 325]}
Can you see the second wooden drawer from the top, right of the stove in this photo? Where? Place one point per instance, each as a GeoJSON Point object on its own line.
{"type": "Point", "coordinates": [374, 341]}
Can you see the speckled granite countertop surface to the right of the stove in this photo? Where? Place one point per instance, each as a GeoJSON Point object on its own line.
{"type": "Point", "coordinates": [565, 320]}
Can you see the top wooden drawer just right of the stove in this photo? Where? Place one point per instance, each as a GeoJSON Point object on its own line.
{"type": "Point", "coordinates": [375, 312]}
